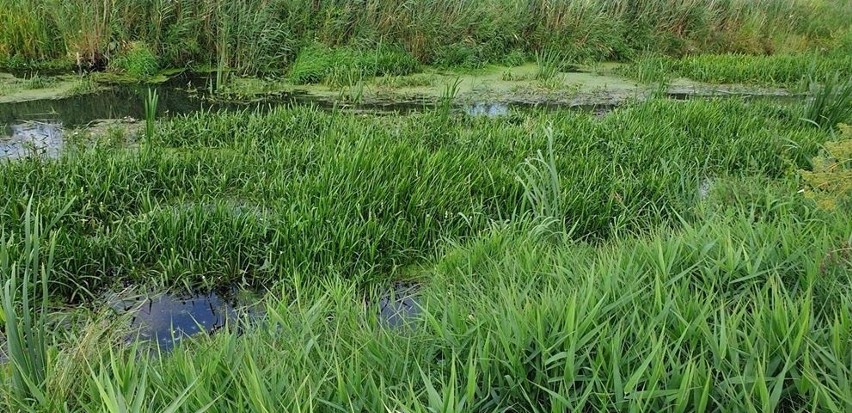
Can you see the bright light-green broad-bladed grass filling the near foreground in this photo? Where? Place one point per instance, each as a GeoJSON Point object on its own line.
{"type": "Point", "coordinates": [724, 315]}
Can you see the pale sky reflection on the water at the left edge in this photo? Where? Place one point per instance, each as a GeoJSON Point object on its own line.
{"type": "Point", "coordinates": [31, 138]}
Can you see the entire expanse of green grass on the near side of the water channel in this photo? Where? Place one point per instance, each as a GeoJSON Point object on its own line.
{"type": "Point", "coordinates": [565, 261]}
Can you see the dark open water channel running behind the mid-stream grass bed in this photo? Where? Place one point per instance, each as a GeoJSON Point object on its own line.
{"type": "Point", "coordinates": [35, 127]}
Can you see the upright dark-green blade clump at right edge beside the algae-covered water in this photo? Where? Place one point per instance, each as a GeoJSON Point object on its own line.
{"type": "Point", "coordinates": [830, 101]}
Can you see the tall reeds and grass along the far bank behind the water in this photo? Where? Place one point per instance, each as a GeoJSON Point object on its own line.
{"type": "Point", "coordinates": [267, 36]}
